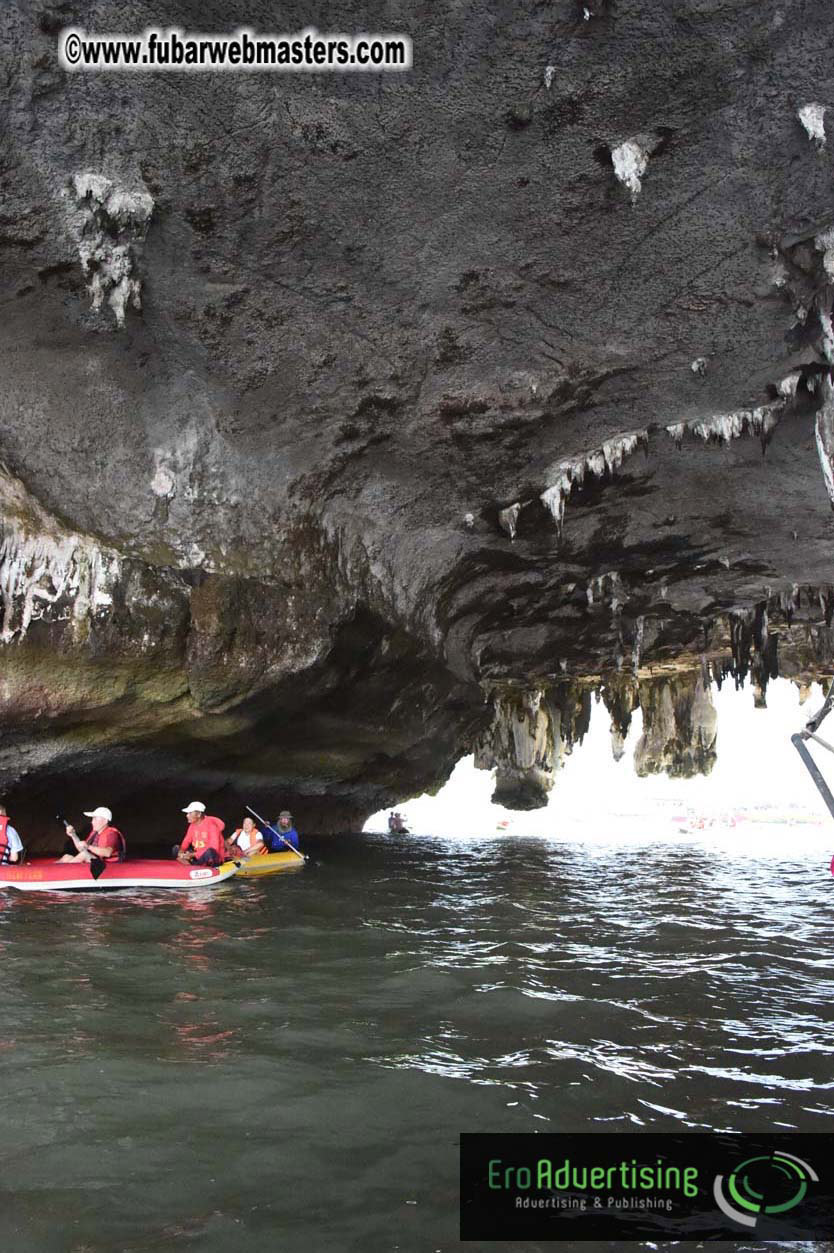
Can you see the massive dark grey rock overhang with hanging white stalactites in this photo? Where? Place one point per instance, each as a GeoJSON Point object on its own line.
{"type": "Point", "coordinates": [391, 445]}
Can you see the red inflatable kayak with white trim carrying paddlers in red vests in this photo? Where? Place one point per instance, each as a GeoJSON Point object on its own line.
{"type": "Point", "coordinates": [47, 875]}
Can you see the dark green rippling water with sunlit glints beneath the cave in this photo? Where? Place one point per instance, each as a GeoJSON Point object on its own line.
{"type": "Point", "coordinates": [289, 1063]}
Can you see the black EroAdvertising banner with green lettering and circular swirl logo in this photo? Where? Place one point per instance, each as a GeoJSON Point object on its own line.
{"type": "Point", "coordinates": [642, 1187]}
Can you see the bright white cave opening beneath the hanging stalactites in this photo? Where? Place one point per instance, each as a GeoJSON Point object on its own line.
{"type": "Point", "coordinates": [756, 790]}
